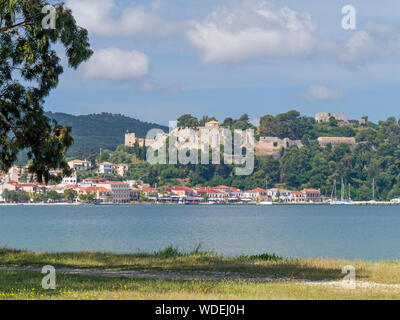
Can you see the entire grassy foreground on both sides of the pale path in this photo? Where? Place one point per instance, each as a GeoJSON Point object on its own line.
{"type": "Point", "coordinates": [27, 284]}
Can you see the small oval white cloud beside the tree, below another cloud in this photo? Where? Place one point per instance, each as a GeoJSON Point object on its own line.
{"type": "Point", "coordinates": [116, 64]}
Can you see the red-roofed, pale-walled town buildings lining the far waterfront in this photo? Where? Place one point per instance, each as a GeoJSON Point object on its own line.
{"type": "Point", "coordinates": [105, 191]}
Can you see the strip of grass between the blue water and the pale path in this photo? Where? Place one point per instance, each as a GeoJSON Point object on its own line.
{"type": "Point", "coordinates": [171, 259]}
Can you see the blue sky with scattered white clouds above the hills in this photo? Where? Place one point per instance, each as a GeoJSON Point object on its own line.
{"type": "Point", "coordinates": [156, 60]}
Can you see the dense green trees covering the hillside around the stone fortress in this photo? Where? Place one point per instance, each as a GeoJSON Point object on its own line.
{"type": "Point", "coordinates": [376, 156]}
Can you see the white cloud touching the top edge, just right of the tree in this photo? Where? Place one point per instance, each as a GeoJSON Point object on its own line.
{"type": "Point", "coordinates": [106, 18]}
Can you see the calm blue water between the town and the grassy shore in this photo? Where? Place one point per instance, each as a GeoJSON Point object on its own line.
{"type": "Point", "coordinates": [353, 232]}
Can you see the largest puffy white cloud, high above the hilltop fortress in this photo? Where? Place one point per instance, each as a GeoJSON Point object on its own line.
{"type": "Point", "coordinates": [252, 29]}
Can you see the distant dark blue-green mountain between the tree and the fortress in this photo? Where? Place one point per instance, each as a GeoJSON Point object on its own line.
{"type": "Point", "coordinates": [104, 130]}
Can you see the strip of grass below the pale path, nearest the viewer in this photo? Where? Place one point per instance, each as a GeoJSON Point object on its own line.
{"type": "Point", "coordinates": [25, 285]}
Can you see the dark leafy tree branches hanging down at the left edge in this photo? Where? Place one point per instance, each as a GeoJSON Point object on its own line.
{"type": "Point", "coordinates": [29, 70]}
